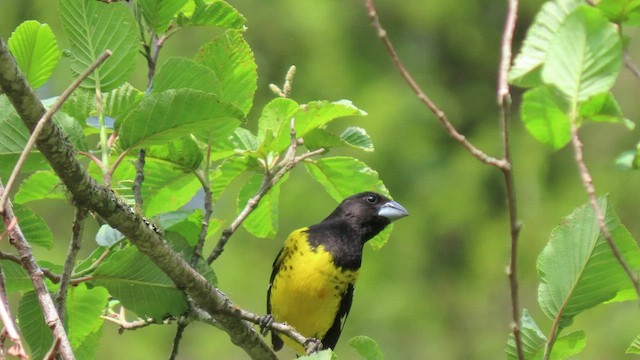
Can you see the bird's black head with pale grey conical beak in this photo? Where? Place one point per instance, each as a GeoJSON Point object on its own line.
{"type": "Point", "coordinates": [368, 213]}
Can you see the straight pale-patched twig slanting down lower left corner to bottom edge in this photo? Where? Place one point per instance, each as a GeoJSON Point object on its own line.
{"type": "Point", "coordinates": [28, 262]}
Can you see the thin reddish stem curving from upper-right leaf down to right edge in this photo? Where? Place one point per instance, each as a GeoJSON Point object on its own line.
{"type": "Point", "coordinates": [587, 182]}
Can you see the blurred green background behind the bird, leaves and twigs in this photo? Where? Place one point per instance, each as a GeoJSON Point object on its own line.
{"type": "Point", "coordinates": [438, 289]}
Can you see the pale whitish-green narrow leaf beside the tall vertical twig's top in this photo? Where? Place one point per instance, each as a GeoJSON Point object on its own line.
{"type": "Point", "coordinates": [525, 71]}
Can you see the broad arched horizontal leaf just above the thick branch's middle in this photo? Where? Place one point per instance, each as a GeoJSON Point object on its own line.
{"type": "Point", "coordinates": [173, 114]}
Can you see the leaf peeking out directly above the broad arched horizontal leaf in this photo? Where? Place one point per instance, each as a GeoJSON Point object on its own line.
{"type": "Point", "coordinates": [179, 73]}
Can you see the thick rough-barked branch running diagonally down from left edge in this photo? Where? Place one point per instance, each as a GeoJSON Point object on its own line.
{"type": "Point", "coordinates": [86, 192]}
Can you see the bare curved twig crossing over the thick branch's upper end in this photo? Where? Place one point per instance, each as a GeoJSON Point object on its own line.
{"type": "Point", "coordinates": [43, 121]}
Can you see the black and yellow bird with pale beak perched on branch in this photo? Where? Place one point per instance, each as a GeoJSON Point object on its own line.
{"type": "Point", "coordinates": [313, 277]}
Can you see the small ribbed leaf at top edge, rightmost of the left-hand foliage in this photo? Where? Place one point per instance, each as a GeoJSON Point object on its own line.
{"type": "Point", "coordinates": [211, 13]}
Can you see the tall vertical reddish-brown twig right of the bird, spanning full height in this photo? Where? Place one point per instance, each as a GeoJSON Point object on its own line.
{"type": "Point", "coordinates": [504, 103]}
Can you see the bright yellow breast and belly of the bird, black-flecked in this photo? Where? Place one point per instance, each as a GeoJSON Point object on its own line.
{"type": "Point", "coordinates": [307, 290]}
